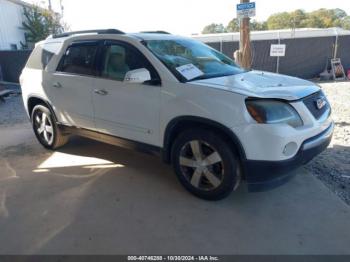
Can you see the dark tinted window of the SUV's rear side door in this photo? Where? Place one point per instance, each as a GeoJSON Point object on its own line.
{"type": "Point", "coordinates": [79, 59]}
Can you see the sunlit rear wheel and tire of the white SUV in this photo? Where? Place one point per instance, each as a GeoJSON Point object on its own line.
{"type": "Point", "coordinates": [46, 129]}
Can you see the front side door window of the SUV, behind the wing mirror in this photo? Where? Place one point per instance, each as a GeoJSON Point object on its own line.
{"type": "Point", "coordinates": [121, 58]}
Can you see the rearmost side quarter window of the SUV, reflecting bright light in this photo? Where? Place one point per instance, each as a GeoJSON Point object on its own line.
{"type": "Point", "coordinates": [42, 55]}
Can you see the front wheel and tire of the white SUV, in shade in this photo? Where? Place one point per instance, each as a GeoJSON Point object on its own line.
{"type": "Point", "coordinates": [211, 178]}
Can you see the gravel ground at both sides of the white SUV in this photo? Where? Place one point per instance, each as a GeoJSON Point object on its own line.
{"type": "Point", "coordinates": [332, 166]}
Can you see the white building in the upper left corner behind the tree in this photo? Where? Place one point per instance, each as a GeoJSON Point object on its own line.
{"type": "Point", "coordinates": [11, 17]}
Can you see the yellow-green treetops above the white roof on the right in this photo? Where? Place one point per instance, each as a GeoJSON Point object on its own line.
{"type": "Point", "coordinates": [322, 18]}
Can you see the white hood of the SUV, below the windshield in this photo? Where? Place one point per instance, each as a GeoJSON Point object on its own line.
{"type": "Point", "coordinates": [263, 85]}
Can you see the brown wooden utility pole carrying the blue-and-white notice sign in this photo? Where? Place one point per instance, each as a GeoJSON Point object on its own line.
{"type": "Point", "coordinates": [244, 55]}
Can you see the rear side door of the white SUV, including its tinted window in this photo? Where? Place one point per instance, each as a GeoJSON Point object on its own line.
{"type": "Point", "coordinates": [69, 89]}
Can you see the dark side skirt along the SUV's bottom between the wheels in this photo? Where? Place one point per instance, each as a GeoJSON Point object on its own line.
{"type": "Point", "coordinates": [112, 140]}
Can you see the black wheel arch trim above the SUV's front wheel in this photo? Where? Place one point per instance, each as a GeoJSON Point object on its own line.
{"type": "Point", "coordinates": [179, 124]}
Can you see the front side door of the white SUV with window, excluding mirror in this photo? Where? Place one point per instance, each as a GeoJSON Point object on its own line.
{"type": "Point", "coordinates": [123, 109]}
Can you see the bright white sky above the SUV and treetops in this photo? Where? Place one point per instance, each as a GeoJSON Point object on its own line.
{"type": "Point", "coordinates": [183, 17]}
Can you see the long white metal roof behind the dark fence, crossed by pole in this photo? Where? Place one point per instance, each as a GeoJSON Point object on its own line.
{"type": "Point", "coordinates": [274, 34]}
